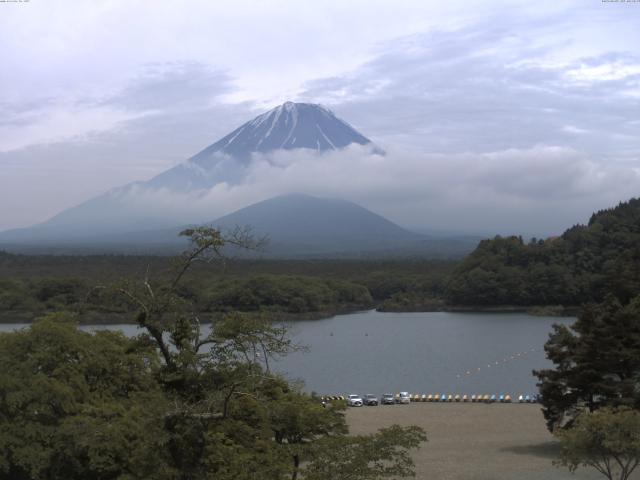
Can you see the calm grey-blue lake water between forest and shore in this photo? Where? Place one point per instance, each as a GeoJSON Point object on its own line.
{"type": "Point", "coordinates": [434, 352]}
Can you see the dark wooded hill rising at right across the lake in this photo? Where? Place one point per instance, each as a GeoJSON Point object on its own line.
{"type": "Point", "coordinates": [583, 265]}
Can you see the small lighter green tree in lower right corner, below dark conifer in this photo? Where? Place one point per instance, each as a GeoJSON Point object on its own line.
{"type": "Point", "coordinates": [607, 440]}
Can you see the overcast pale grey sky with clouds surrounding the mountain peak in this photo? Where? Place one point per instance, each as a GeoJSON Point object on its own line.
{"type": "Point", "coordinates": [498, 116]}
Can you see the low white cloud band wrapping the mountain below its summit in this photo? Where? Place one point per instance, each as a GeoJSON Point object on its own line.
{"type": "Point", "coordinates": [539, 191]}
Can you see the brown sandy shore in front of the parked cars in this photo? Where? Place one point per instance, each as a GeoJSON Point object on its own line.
{"type": "Point", "coordinates": [474, 441]}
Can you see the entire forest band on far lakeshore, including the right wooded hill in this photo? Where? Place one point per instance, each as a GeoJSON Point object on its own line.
{"type": "Point", "coordinates": [557, 274]}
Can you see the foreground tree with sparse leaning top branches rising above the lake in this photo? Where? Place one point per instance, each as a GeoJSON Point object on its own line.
{"type": "Point", "coordinates": [230, 417]}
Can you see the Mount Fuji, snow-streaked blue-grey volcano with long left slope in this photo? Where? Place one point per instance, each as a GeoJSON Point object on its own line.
{"type": "Point", "coordinates": [290, 126]}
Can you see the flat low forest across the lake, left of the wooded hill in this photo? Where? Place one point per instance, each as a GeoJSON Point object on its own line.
{"type": "Point", "coordinates": [34, 285]}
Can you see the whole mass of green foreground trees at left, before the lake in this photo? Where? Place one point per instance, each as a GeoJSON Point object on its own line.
{"type": "Point", "coordinates": [172, 403]}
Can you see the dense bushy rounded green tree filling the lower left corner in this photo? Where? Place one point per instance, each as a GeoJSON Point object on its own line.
{"type": "Point", "coordinates": [76, 405]}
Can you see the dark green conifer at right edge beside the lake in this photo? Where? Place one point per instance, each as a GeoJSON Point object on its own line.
{"type": "Point", "coordinates": [597, 362]}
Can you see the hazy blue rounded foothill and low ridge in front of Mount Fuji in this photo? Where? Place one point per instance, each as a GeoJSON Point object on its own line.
{"type": "Point", "coordinates": [295, 225]}
